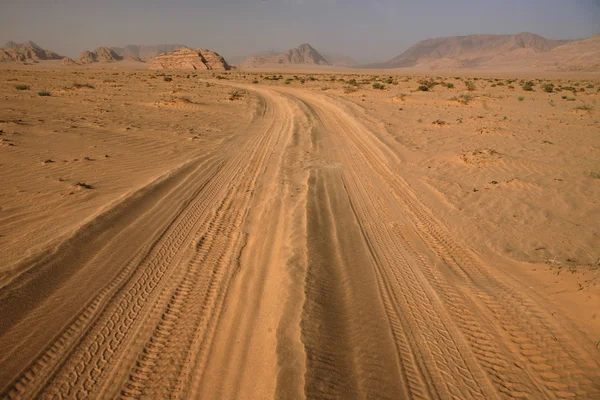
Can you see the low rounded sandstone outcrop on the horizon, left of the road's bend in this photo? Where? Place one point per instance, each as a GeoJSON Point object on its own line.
{"type": "Point", "coordinates": [185, 58]}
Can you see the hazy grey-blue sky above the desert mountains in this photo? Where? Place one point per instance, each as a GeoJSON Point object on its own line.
{"type": "Point", "coordinates": [367, 30]}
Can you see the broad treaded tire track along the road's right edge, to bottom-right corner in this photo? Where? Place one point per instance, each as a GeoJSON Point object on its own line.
{"type": "Point", "coordinates": [543, 363]}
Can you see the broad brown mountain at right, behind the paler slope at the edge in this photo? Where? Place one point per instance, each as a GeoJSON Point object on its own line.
{"type": "Point", "coordinates": [471, 51]}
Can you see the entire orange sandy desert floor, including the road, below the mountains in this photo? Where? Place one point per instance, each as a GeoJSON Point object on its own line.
{"type": "Point", "coordinates": [231, 236]}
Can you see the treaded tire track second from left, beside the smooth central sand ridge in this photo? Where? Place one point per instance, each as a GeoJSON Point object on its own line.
{"type": "Point", "coordinates": [179, 345]}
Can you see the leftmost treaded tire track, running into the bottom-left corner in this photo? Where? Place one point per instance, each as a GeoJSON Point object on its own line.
{"type": "Point", "coordinates": [97, 342]}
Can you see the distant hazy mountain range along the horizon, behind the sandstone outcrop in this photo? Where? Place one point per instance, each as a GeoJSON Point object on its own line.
{"type": "Point", "coordinates": [522, 50]}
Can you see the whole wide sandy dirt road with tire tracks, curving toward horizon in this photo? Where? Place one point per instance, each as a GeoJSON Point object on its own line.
{"type": "Point", "coordinates": [292, 261]}
